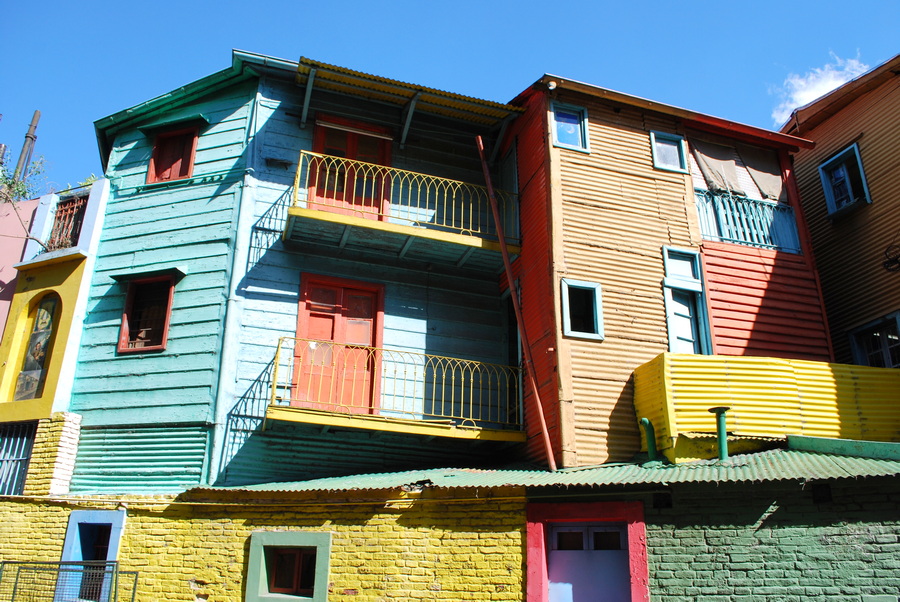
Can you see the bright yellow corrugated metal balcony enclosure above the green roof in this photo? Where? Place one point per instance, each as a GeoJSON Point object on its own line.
{"type": "Point", "coordinates": [769, 398]}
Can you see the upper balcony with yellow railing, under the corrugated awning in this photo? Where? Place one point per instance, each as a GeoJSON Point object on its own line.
{"type": "Point", "coordinates": [374, 210]}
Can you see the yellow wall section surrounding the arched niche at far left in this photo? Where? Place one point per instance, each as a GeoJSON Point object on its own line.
{"type": "Point", "coordinates": [63, 278]}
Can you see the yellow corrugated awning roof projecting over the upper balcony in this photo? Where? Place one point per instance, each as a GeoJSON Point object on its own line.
{"type": "Point", "coordinates": [382, 89]}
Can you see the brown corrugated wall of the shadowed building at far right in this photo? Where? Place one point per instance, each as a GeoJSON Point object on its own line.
{"type": "Point", "coordinates": [850, 249]}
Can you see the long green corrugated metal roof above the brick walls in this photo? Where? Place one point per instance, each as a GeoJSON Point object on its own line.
{"type": "Point", "coordinates": [774, 465]}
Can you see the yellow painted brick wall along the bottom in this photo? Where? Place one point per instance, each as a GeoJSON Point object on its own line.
{"type": "Point", "coordinates": [436, 548]}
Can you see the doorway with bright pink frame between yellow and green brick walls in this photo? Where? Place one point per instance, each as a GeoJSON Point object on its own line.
{"type": "Point", "coordinates": [576, 550]}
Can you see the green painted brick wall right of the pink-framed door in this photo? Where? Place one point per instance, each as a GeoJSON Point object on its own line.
{"type": "Point", "coordinates": [773, 542]}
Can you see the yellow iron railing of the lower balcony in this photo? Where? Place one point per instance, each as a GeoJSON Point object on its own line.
{"type": "Point", "coordinates": [391, 383]}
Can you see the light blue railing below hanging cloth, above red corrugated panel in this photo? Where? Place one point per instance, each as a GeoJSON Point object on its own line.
{"type": "Point", "coordinates": [736, 219]}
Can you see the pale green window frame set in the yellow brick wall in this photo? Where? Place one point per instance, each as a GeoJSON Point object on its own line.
{"type": "Point", "coordinates": [257, 589]}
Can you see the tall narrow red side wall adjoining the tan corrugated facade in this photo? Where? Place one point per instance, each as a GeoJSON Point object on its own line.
{"type": "Point", "coordinates": [534, 270]}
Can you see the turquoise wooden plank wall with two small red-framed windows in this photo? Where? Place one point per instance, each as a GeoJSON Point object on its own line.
{"type": "Point", "coordinates": [188, 225]}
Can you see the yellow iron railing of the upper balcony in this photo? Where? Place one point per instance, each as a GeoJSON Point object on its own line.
{"type": "Point", "coordinates": [397, 196]}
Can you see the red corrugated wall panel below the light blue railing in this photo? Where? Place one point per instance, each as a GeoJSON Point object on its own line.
{"type": "Point", "coordinates": [763, 303]}
